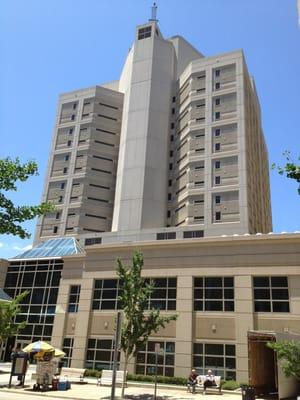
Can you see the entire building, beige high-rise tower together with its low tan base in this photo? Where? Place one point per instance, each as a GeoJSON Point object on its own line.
{"type": "Point", "coordinates": [169, 159]}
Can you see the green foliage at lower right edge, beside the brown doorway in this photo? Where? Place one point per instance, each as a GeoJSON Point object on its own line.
{"type": "Point", "coordinates": [288, 352]}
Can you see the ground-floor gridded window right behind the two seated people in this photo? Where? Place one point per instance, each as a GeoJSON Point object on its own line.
{"type": "Point", "coordinates": [218, 357]}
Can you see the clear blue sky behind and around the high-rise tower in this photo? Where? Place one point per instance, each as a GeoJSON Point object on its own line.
{"type": "Point", "coordinates": [55, 46]}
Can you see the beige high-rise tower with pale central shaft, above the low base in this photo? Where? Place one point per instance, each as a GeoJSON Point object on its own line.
{"type": "Point", "coordinates": [174, 148]}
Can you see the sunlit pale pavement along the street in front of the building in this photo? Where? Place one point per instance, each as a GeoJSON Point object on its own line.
{"type": "Point", "coordinates": [91, 391]}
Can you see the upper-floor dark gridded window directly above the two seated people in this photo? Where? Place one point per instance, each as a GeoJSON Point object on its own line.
{"type": "Point", "coordinates": [214, 294]}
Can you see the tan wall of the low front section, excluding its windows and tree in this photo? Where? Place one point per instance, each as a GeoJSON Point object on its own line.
{"type": "Point", "coordinates": [242, 257]}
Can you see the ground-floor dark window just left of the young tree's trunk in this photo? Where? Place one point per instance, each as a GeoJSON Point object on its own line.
{"type": "Point", "coordinates": [100, 354]}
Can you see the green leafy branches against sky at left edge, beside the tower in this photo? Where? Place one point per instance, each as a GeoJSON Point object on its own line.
{"type": "Point", "coordinates": [12, 216]}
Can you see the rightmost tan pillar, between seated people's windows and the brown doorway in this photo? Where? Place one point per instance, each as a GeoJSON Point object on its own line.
{"type": "Point", "coordinates": [243, 323]}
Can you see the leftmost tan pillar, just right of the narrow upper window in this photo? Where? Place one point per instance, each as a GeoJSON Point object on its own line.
{"type": "Point", "coordinates": [82, 323]}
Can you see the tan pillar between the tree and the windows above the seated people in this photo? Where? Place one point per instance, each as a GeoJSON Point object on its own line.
{"type": "Point", "coordinates": [184, 326]}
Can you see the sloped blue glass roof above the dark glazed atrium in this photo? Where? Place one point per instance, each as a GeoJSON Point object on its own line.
{"type": "Point", "coordinates": [53, 248]}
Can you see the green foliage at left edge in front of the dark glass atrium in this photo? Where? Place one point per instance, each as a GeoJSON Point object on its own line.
{"type": "Point", "coordinates": [8, 311]}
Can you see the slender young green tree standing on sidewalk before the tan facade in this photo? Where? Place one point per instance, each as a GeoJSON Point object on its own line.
{"type": "Point", "coordinates": [139, 322]}
